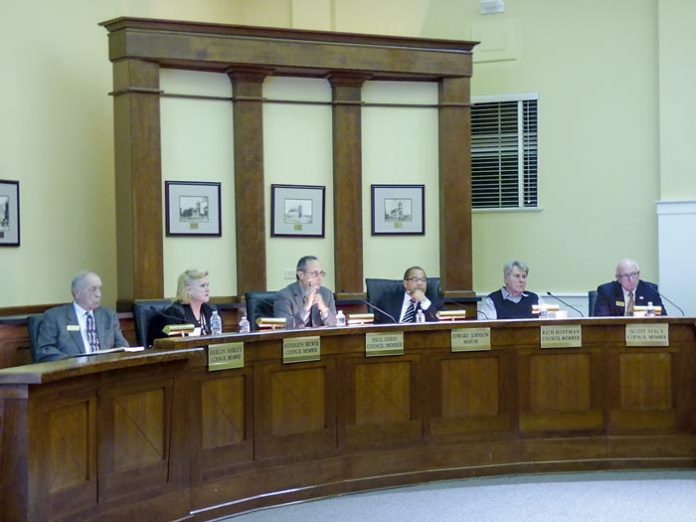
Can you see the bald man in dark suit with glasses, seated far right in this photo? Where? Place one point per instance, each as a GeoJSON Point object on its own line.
{"type": "Point", "coordinates": [619, 297]}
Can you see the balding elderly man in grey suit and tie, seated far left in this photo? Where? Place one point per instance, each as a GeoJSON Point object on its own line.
{"type": "Point", "coordinates": [80, 327]}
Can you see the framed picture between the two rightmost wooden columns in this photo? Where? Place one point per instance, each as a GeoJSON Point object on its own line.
{"type": "Point", "coordinates": [398, 209]}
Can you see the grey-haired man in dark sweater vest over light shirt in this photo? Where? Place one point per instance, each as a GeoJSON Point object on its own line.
{"type": "Point", "coordinates": [512, 301]}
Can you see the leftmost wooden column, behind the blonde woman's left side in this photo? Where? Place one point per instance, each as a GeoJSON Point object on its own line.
{"type": "Point", "coordinates": [138, 181]}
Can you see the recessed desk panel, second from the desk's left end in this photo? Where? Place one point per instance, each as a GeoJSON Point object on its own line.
{"type": "Point", "coordinates": [139, 429]}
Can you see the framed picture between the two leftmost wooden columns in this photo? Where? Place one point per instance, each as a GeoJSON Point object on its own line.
{"type": "Point", "coordinates": [192, 208]}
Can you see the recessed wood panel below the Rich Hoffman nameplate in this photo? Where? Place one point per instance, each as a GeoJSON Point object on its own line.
{"type": "Point", "coordinates": [560, 383]}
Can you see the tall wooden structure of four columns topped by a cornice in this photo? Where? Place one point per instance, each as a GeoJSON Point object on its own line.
{"type": "Point", "coordinates": [139, 47]}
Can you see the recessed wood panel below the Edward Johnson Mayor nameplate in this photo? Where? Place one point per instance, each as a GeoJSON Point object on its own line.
{"type": "Point", "coordinates": [470, 387]}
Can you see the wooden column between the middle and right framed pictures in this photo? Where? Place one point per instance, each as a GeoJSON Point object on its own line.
{"type": "Point", "coordinates": [347, 165]}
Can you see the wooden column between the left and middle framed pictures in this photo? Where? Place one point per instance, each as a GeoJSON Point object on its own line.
{"type": "Point", "coordinates": [250, 210]}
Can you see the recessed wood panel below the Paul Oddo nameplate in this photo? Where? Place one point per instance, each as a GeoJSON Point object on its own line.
{"type": "Point", "coordinates": [382, 393]}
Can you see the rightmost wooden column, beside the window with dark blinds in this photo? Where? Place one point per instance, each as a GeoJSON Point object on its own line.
{"type": "Point", "coordinates": [455, 187]}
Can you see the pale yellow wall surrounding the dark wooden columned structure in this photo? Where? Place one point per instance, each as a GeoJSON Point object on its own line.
{"type": "Point", "coordinates": [605, 130]}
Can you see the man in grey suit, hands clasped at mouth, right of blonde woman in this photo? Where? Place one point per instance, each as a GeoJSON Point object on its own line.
{"type": "Point", "coordinates": [305, 303]}
